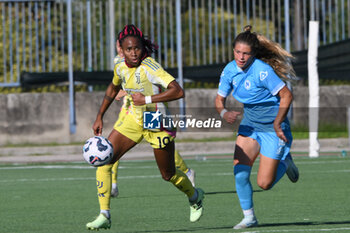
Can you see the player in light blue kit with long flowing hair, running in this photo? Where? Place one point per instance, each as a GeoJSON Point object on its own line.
{"type": "Point", "coordinates": [254, 78]}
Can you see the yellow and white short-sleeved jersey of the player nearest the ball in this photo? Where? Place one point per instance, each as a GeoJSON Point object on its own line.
{"type": "Point", "coordinates": [149, 78]}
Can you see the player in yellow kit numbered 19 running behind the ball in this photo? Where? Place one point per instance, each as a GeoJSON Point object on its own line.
{"type": "Point", "coordinates": [149, 87]}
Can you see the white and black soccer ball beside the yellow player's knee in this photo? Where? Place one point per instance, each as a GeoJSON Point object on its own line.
{"type": "Point", "coordinates": [98, 151]}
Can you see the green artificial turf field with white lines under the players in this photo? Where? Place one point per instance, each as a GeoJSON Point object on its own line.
{"type": "Point", "coordinates": [62, 198]}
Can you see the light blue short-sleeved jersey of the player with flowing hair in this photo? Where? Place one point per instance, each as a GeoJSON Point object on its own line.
{"type": "Point", "coordinates": [256, 87]}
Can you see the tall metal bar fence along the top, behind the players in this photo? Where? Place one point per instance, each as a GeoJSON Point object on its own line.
{"type": "Point", "coordinates": [34, 35]}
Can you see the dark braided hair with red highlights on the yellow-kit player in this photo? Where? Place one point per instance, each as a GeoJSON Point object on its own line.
{"type": "Point", "coordinates": [132, 30]}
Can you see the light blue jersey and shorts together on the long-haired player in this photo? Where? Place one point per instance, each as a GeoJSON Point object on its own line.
{"type": "Point", "coordinates": [257, 88]}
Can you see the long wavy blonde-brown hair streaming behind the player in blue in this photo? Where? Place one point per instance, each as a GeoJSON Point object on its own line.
{"type": "Point", "coordinates": [268, 51]}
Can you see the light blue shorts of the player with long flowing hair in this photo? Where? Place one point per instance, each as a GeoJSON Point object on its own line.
{"type": "Point", "coordinates": [270, 145]}
